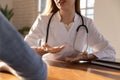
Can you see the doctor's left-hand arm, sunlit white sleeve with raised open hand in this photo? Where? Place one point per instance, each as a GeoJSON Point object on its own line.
{"type": "Point", "coordinates": [36, 33]}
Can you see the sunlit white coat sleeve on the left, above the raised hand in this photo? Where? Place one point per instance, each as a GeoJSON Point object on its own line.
{"type": "Point", "coordinates": [35, 33]}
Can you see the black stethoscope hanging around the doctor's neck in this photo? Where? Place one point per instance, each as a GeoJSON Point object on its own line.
{"type": "Point", "coordinates": [80, 26]}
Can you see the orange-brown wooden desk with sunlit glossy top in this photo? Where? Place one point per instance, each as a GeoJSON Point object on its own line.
{"type": "Point", "coordinates": [59, 70]}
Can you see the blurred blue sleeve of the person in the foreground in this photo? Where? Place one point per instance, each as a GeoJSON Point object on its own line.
{"type": "Point", "coordinates": [18, 55]}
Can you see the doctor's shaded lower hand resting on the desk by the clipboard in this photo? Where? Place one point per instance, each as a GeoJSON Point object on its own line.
{"type": "Point", "coordinates": [81, 56]}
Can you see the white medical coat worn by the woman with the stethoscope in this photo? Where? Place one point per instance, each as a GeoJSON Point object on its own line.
{"type": "Point", "coordinates": [59, 35]}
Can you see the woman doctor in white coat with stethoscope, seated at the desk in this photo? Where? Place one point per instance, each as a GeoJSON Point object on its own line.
{"type": "Point", "coordinates": [57, 34]}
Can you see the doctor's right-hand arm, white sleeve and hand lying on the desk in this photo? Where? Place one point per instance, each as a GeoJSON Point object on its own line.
{"type": "Point", "coordinates": [101, 49]}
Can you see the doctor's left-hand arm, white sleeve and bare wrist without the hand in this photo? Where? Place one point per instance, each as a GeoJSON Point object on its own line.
{"type": "Point", "coordinates": [34, 35]}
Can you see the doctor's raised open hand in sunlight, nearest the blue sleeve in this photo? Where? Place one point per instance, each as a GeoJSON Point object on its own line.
{"type": "Point", "coordinates": [50, 49]}
